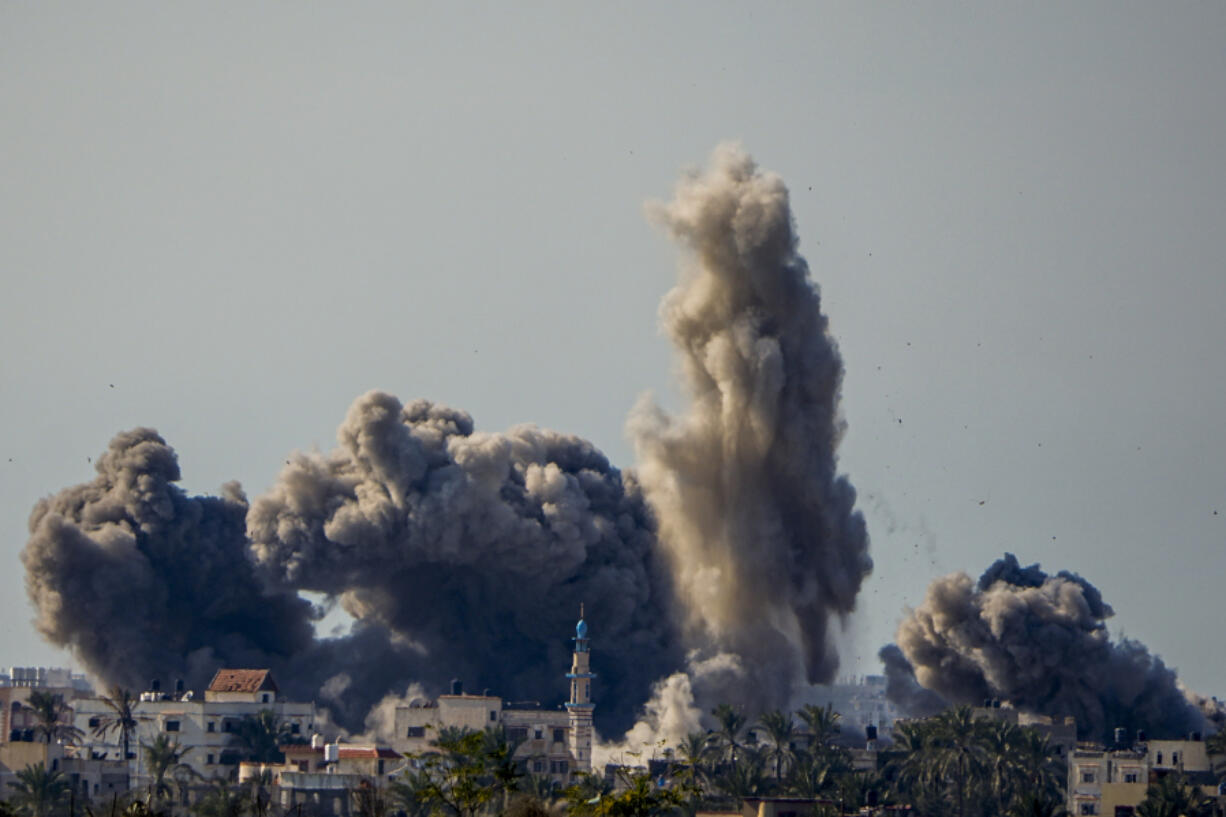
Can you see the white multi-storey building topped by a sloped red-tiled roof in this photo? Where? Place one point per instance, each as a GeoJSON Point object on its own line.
{"type": "Point", "coordinates": [207, 728]}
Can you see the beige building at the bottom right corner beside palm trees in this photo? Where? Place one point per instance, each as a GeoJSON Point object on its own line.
{"type": "Point", "coordinates": [1114, 781]}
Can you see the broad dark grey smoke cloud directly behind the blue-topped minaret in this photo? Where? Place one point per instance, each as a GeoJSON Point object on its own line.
{"type": "Point", "coordinates": [475, 550]}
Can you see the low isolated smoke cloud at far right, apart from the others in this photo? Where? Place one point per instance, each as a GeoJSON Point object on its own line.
{"type": "Point", "coordinates": [1040, 643]}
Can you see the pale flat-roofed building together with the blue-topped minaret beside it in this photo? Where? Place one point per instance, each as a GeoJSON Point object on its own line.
{"type": "Point", "coordinates": [554, 743]}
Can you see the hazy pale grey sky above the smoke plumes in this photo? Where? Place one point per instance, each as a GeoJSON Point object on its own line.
{"type": "Point", "coordinates": [229, 221]}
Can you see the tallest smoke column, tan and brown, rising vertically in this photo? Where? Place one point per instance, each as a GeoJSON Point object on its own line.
{"type": "Point", "coordinates": [762, 533]}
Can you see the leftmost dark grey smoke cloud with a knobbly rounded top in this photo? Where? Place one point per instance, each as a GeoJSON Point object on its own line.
{"type": "Point", "coordinates": [142, 581]}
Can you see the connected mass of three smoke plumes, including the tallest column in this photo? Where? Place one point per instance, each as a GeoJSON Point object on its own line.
{"type": "Point", "coordinates": [726, 559]}
